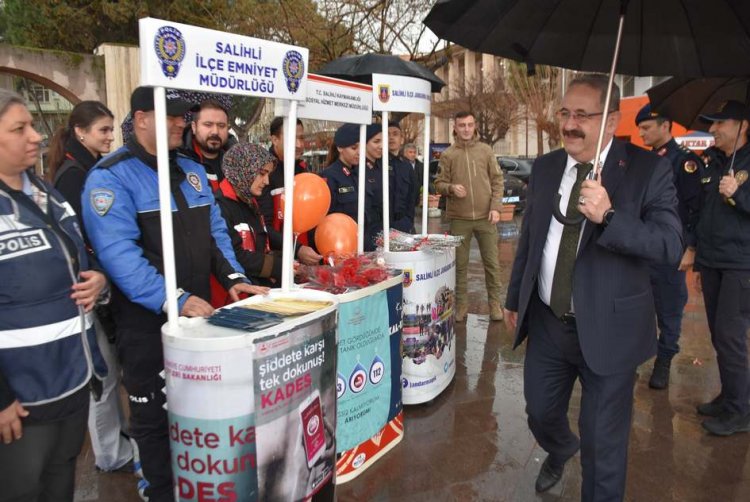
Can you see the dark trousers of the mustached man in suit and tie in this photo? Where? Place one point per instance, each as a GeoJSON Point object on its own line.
{"type": "Point", "coordinates": [553, 363]}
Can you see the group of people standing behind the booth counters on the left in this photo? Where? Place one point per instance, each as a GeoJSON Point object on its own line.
{"type": "Point", "coordinates": [83, 296]}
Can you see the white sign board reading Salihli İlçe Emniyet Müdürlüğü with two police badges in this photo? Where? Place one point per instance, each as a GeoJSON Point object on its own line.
{"type": "Point", "coordinates": [181, 56]}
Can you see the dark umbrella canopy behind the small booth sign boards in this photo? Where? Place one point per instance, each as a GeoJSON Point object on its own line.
{"type": "Point", "coordinates": [360, 69]}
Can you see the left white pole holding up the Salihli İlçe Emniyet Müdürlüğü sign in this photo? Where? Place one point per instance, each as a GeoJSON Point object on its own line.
{"type": "Point", "coordinates": [165, 208]}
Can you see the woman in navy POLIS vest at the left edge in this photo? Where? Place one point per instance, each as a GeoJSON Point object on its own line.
{"type": "Point", "coordinates": [48, 351]}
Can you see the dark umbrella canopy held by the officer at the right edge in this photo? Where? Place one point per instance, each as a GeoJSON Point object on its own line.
{"type": "Point", "coordinates": [683, 100]}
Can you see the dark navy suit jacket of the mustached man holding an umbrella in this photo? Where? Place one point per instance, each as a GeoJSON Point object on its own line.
{"type": "Point", "coordinates": [612, 295]}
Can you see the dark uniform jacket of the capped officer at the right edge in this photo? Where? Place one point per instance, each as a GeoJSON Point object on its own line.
{"type": "Point", "coordinates": [723, 229]}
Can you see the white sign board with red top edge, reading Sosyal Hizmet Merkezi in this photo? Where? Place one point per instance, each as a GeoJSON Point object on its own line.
{"type": "Point", "coordinates": [332, 99]}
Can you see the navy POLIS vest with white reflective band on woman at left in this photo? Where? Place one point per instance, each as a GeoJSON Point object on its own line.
{"type": "Point", "coordinates": [48, 348]}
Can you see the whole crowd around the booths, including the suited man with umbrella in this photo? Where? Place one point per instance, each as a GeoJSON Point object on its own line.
{"type": "Point", "coordinates": [83, 294]}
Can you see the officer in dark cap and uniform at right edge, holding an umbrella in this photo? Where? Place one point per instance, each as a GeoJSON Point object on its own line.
{"type": "Point", "coordinates": [723, 260]}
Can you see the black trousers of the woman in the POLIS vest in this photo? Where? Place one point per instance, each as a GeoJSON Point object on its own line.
{"type": "Point", "coordinates": [41, 465]}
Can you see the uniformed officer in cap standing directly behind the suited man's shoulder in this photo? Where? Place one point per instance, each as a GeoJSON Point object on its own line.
{"type": "Point", "coordinates": [668, 281]}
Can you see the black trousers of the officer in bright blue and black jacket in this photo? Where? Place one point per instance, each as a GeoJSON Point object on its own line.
{"type": "Point", "coordinates": [142, 361]}
